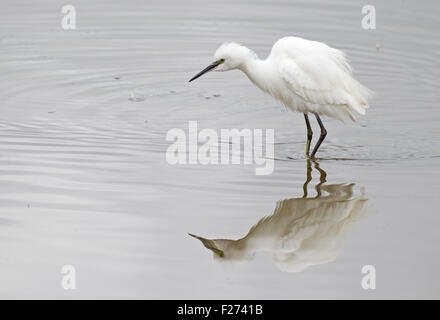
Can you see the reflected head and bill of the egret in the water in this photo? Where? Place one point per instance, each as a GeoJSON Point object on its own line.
{"type": "Point", "coordinates": [226, 249]}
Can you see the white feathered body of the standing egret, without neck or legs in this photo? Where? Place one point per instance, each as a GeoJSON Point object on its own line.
{"type": "Point", "coordinates": [319, 78]}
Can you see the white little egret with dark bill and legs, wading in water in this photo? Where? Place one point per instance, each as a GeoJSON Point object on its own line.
{"type": "Point", "coordinates": [306, 76]}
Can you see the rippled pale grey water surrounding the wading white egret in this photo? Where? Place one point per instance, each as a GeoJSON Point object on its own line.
{"type": "Point", "coordinates": [84, 179]}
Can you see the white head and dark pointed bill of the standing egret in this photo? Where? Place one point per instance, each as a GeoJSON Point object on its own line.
{"type": "Point", "coordinates": [228, 56]}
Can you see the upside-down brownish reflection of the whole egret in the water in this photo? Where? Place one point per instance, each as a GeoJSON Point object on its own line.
{"type": "Point", "coordinates": [301, 232]}
